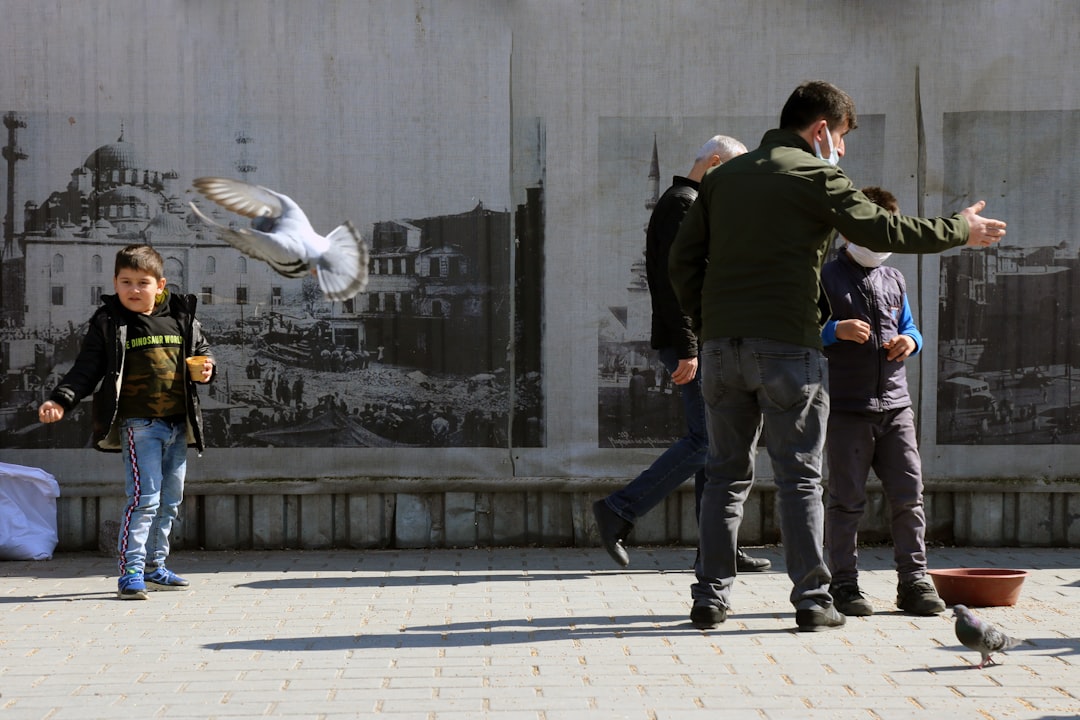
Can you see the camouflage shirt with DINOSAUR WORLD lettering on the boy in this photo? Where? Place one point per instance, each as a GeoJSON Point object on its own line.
{"type": "Point", "coordinates": [154, 366]}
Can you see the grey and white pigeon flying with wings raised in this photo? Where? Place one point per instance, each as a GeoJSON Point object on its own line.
{"type": "Point", "coordinates": [282, 237]}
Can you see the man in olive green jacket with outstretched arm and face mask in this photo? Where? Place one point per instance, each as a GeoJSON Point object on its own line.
{"type": "Point", "coordinates": [746, 267]}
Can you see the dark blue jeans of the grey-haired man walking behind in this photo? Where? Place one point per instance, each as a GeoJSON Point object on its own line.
{"type": "Point", "coordinates": [685, 458]}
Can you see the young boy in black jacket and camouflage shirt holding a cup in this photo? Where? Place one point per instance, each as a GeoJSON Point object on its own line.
{"type": "Point", "coordinates": [146, 348]}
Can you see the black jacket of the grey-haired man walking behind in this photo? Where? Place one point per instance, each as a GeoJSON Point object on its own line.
{"type": "Point", "coordinates": [671, 329]}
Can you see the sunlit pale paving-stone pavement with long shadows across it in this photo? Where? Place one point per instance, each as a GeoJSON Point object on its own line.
{"type": "Point", "coordinates": [536, 634]}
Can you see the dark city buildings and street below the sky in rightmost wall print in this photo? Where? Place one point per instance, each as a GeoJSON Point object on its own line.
{"type": "Point", "coordinates": [1008, 342]}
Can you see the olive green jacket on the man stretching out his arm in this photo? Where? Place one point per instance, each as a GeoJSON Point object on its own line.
{"type": "Point", "coordinates": [747, 261]}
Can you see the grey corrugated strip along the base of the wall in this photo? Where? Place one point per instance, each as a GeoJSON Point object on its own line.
{"type": "Point", "coordinates": [556, 512]}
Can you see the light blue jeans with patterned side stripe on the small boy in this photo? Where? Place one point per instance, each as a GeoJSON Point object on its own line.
{"type": "Point", "coordinates": [156, 454]}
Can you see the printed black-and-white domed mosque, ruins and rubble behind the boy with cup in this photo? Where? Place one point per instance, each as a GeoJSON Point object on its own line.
{"type": "Point", "coordinates": [422, 359]}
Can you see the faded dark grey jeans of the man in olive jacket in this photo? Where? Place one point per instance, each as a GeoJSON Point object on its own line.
{"type": "Point", "coordinates": [749, 384]}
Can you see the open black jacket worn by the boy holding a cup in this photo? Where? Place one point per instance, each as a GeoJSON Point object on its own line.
{"type": "Point", "coordinates": [102, 360]}
